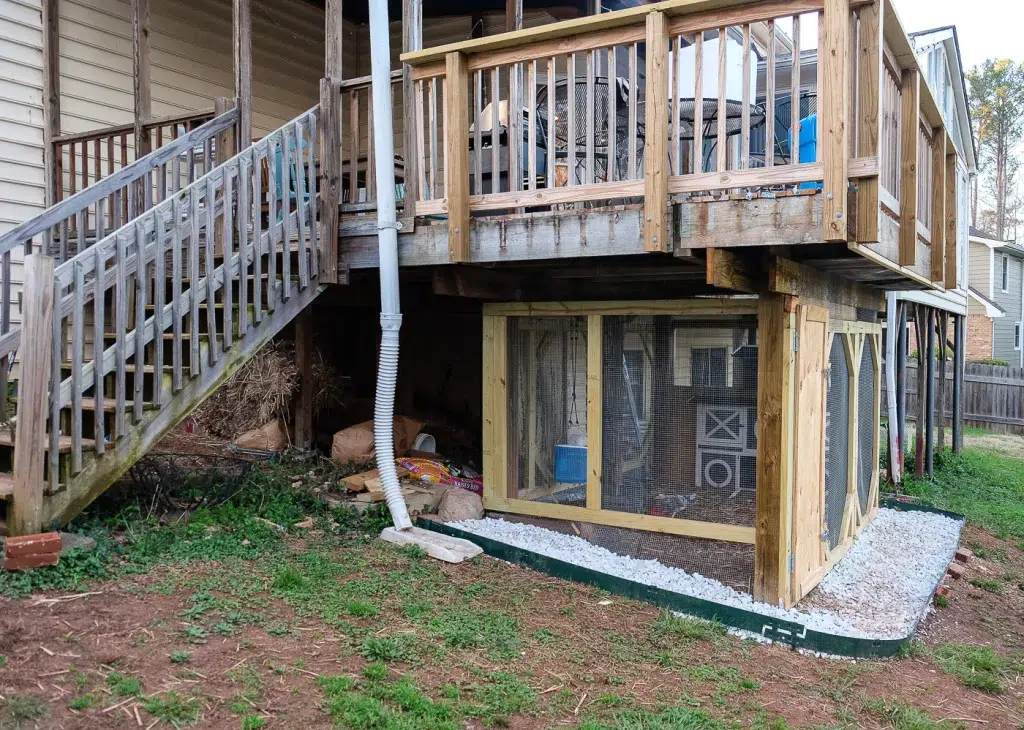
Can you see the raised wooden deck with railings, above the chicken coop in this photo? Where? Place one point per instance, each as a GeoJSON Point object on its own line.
{"type": "Point", "coordinates": [873, 203]}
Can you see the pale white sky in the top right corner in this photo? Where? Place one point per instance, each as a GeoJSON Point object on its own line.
{"type": "Point", "coordinates": [986, 28]}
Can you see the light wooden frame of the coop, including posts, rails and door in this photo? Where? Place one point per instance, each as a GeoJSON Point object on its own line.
{"type": "Point", "coordinates": [789, 533]}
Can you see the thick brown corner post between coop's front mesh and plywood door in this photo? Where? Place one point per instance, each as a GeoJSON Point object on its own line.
{"type": "Point", "coordinates": [776, 361]}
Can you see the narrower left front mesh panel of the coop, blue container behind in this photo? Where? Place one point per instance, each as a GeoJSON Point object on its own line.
{"type": "Point", "coordinates": [547, 409]}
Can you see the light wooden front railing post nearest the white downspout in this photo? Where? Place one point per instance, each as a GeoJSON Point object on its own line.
{"type": "Point", "coordinates": [456, 156]}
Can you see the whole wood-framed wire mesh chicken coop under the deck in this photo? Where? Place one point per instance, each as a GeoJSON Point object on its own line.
{"type": "Point", "coordinates": [720, 436]}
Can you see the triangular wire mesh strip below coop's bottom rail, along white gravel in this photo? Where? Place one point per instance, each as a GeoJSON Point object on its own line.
{"type": "Point", "coordinates": [731, 564]}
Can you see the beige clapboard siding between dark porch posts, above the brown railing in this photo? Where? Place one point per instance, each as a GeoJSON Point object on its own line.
{"type": "Point", "coordinates": [191, 60]}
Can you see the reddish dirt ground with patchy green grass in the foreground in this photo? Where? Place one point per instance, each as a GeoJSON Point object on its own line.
{"type": "Point", "coordinates": [247, 645]}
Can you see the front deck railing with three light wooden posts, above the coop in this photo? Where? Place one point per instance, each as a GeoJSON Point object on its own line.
{"type": "Point", "coordinates": [636, 105]}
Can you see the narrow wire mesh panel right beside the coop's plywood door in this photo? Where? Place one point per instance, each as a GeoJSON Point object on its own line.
{"type": "Point", "coordinates": [837, 441]}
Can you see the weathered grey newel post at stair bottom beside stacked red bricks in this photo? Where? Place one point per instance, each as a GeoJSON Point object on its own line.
{"type": "Point", "coordinates": [33, 402]}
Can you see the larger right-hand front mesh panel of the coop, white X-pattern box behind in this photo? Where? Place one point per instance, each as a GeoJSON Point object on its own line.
{"type": "Point", "coordinates": [679, 409]}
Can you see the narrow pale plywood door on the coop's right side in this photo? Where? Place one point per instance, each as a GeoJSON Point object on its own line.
{"type": "Point", "coordinates": [808, 444]}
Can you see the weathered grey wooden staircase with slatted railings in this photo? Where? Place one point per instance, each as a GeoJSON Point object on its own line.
{"type": "Point", "coordinates": [122, 340]}
